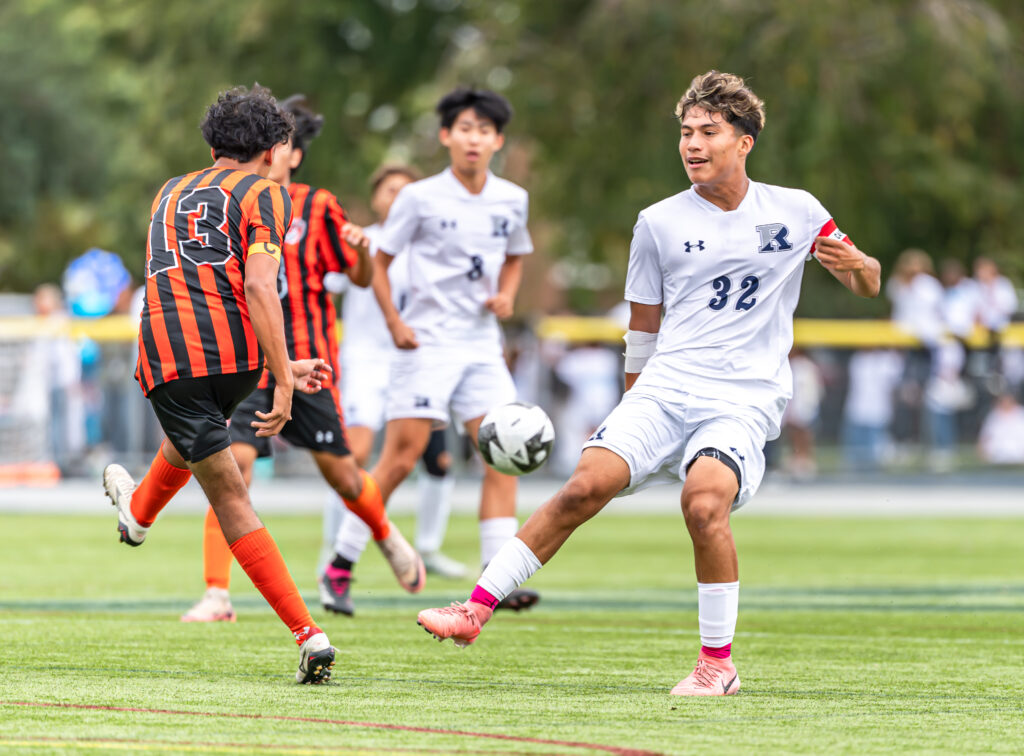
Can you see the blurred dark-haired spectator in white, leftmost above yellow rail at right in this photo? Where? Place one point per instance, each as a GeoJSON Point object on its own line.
{"type": "Point", "coordinates": [917, 301]}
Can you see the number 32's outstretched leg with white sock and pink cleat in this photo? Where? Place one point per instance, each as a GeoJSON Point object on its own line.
{"type": "Point", "coordinates": [600, 477]}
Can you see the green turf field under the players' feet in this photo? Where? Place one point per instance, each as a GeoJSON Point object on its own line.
{"type": "Point", "coordinates": [856, 637]}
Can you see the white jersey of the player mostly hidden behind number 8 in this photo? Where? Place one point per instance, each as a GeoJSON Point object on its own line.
{"type": "Point", "coordinates": [366, 331]}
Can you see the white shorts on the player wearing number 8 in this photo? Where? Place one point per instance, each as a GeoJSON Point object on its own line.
{"type": "Point", "coordinates": [428, 382]}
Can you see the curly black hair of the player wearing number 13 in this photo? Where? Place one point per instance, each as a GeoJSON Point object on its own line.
{"type": "Point", "coordinates": [244, 123]}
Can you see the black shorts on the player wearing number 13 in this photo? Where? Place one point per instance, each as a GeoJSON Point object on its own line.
{"type": "Point", "coordinates": [194, 412]}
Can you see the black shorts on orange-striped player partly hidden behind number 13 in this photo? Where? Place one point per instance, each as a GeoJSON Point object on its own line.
{"type": "Point", "coordinates": [317, 423]}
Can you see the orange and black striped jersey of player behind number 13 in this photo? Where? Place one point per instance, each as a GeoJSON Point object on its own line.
{"type": "Point", "coordinates": [314, 247]}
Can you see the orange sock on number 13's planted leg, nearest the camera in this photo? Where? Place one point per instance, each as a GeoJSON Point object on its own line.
{"type": "Point", "coordinates": [259, 556]}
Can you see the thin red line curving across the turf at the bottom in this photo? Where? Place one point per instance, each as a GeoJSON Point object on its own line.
{"type": "Point", "coordinates": [340, 723]}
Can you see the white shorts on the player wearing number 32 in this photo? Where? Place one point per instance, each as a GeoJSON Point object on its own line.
{"type": "Point", "coordinates": [660, 437]}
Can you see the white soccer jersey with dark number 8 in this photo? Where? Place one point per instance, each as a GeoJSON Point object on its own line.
{"type": "Point", "coordinates": [456, 243]}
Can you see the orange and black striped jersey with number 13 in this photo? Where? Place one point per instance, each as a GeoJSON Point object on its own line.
{"type": "Point", "coordinates": [195, 317]}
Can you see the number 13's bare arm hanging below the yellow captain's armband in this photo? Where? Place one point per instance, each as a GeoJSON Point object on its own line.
{"type": "Point", "coordinates": [269, 324]}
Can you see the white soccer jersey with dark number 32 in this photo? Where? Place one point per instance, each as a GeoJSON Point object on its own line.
{"type": "Point", "coordinates": [730, 284]}
